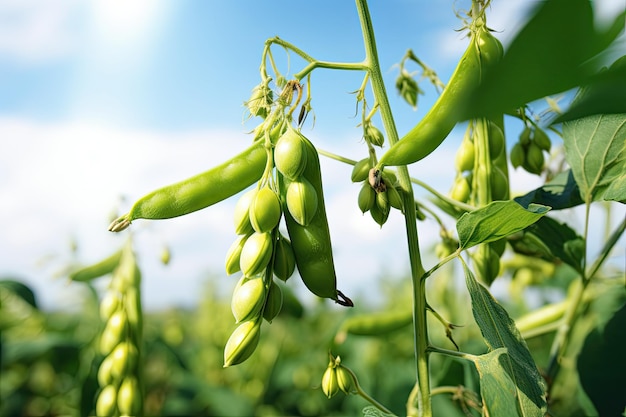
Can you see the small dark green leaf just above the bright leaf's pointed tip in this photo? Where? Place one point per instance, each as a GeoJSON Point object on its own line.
{"type": "Point", "coordinates": [560, 193]}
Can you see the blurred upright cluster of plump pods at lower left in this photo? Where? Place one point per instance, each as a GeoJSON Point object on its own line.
{"type": "Point", "coordinates": [118, 374]}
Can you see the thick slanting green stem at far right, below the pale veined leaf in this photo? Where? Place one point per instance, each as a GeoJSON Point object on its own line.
{"type": "Point", "coordinates": [577, 300]}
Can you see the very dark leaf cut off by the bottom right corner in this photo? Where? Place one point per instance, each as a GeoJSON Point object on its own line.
{"type": "Point", "coordinates": [601, 365]}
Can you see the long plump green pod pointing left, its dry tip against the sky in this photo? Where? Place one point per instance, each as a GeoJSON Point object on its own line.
{"type": "Point", "coordinates": [199, 191]}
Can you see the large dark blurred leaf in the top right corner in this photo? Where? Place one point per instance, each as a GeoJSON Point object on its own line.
{"type": "Point", "coordinates": [551, 54]}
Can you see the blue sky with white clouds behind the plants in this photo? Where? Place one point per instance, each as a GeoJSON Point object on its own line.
{"type": "Point", "coordinates": [103, 101]}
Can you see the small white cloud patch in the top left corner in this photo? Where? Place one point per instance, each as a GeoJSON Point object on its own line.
{"type": "Point", "coordinates": [35, 31]}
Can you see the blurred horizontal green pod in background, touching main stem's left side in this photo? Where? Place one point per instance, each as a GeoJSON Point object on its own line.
{"type": "Point", "coordinates": [377, 324]}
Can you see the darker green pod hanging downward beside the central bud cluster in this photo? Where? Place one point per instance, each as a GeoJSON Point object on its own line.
{"type": "Point", "coordinates": [311, 244]}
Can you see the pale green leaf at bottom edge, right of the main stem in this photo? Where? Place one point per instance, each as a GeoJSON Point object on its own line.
{"type": "Point", "coordinates": [497, 389]}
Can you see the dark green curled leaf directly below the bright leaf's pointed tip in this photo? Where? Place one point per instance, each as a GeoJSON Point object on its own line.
{"type": "Point", "coordinates": [552, 241]}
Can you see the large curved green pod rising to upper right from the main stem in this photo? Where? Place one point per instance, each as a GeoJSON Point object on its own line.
{"type": "Point", "coordinates": [437, 124]}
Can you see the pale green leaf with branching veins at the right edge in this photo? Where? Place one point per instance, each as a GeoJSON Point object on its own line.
{"type": "Point", "coordinates": [595, 148]}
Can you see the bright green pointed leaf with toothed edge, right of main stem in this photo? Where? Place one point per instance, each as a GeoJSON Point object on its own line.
{"type": "Point", "coordinates": [496, 220]}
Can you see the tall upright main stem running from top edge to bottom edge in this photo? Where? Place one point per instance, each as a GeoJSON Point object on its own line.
{"type": "Point", "coordinates": [420, 330]}
